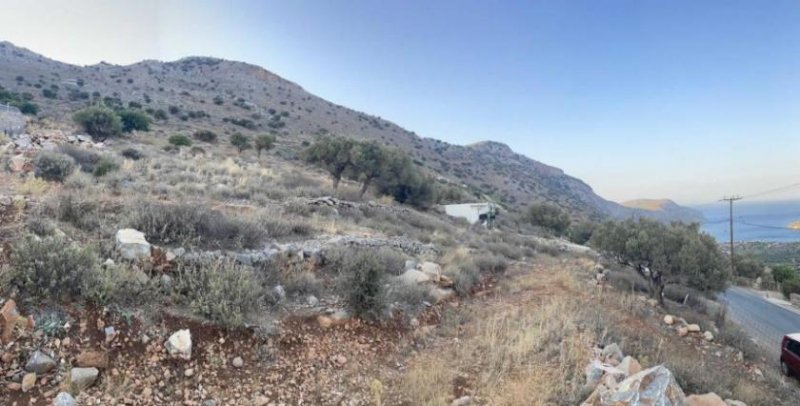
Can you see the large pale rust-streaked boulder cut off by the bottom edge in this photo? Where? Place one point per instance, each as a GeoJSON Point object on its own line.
{"type": "Point", "coordinates": [654, 386]}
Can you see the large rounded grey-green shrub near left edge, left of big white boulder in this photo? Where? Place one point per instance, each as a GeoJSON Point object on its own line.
{"type": "Point", "coordinates": [52, 267]}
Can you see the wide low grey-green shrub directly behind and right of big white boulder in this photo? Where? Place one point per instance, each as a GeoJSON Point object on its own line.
{"type": "Point", "coordinates": [192, 224]}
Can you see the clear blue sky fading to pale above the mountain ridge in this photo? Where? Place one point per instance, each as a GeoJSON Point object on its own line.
{"type": "Point", "coordinates": [689, 100]}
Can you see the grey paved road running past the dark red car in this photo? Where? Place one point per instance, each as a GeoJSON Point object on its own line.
{"type": "Point", "coordinates": [766, 322]}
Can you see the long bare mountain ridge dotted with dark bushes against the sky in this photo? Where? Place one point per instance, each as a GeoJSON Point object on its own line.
{"type": "Point", "coordinates": [199, 92]}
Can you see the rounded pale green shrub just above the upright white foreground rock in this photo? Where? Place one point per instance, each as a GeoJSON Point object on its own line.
{"type": "Point", "coordinates": [222, 291]}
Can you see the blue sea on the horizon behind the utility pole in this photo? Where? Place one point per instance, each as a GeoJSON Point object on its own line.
{"type": "Point", "coordinates": [752, 221]}
